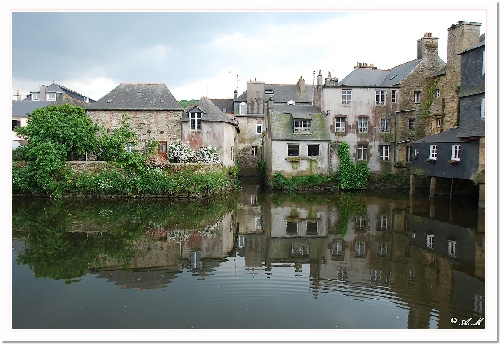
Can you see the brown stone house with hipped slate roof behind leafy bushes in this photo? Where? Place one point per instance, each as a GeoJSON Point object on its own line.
{"type": "Point", "coordinates": [153, 112]}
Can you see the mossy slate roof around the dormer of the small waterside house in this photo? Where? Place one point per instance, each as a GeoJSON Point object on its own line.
{"type": "Point", "coordinates": [282, 127]}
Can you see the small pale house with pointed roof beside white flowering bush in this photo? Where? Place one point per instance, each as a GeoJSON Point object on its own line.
{"type": "Point", "coordinates": [205, 125]}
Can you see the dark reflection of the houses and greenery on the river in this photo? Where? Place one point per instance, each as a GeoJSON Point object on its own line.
{"type": "Point", "coordinates": [424, 257]}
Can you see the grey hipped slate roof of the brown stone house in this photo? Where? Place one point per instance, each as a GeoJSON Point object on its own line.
{"type": "Point", "coordinates": [137, 96]}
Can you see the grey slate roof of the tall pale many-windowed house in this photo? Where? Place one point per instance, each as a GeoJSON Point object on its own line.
{"type": "Point", "coordinates": [367, 77]}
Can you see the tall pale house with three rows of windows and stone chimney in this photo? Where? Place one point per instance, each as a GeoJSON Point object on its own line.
{"type": "Point", "coordinates": [375, 110]}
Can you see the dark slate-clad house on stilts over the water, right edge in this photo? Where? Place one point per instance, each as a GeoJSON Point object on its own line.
{"type": "Point", "coordinates": [458, 154]}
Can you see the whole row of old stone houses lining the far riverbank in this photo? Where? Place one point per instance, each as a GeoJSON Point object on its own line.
{"type": "Point", "coordinates": [425, 113]}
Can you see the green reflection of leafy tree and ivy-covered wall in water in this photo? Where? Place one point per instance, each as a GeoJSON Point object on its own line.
{"type": "Point", "coordinates": [63, 238]}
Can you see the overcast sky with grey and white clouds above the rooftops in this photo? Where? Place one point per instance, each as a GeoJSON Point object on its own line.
{"type": "Point", "coordinates": [213, 53]}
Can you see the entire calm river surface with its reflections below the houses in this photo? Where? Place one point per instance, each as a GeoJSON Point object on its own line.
{"type": "Point", "coordinates": [252, 260]}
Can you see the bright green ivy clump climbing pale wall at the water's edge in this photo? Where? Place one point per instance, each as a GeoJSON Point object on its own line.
{"type": "Point", "coordinates": [351, 176]}
